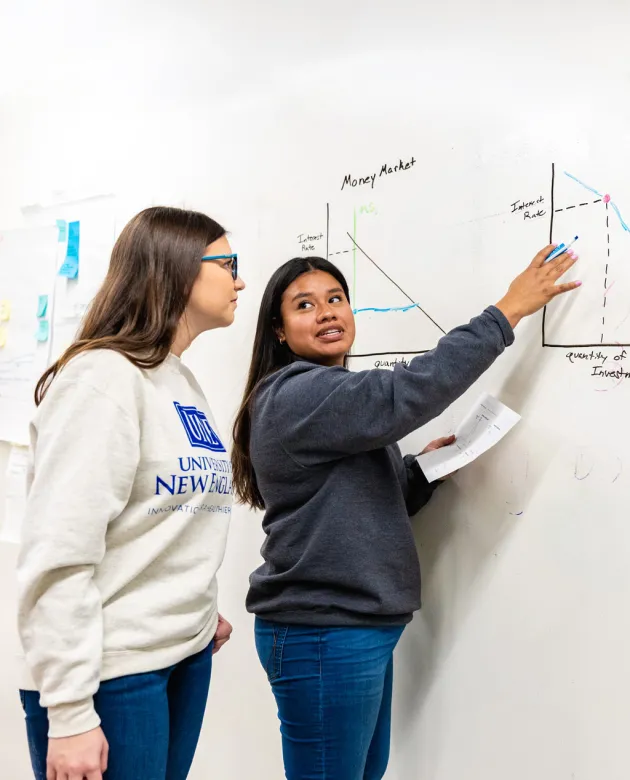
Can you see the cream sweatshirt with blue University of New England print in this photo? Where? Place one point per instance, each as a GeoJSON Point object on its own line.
{"type": "Point", "coordinates": [129, 501]}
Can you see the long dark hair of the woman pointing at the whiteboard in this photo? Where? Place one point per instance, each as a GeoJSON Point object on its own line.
{"type": "Point", "coordinates": [268, 355]}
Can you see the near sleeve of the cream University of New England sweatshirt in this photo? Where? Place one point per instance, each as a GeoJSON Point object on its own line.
{"type": "Point", "coordinates": [85, 451]}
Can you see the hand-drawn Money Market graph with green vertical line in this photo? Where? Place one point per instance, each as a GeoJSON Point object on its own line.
{"type": "Point", "coordinates": [390, 320]}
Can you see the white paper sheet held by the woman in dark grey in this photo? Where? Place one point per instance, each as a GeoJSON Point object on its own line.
{"type": "Point", "coordinates": [484, 425]}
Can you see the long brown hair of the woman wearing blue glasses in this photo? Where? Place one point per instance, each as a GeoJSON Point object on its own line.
{"type": "Point", "coordinates": [137, 309]}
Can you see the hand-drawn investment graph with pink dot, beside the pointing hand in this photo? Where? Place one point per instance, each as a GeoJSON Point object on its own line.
{"type": "Point", "coordinates": [599, 314]}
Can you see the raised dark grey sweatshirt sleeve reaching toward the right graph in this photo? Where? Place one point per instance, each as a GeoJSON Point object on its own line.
{"type": "Point", "coordinates": [323, 413]}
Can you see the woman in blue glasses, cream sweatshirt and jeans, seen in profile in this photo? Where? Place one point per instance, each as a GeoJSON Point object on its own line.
{"type": "Point", "coordinates": [129, 500]}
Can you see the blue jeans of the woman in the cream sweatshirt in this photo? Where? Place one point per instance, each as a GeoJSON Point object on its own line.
{"type": "Point", "coordinates": [151, 721]}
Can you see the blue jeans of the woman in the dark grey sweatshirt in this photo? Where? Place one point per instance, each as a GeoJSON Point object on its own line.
{"type": "Point", "coordinates": [333, 688]}
